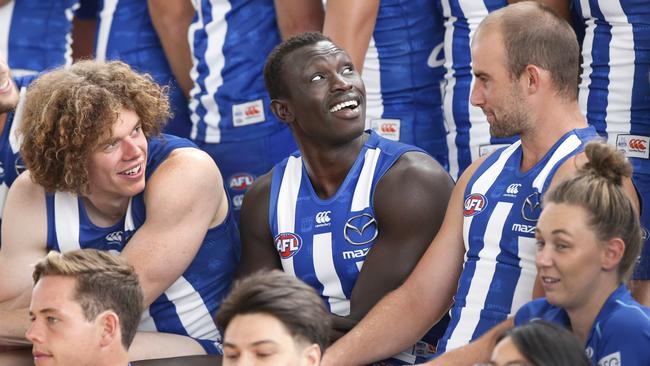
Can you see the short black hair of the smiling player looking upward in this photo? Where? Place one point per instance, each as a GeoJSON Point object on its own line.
{"type": "Point", "coordinates": [274, 66]}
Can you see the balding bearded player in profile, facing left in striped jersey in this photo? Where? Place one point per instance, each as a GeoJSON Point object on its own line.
{"type": "Point", "coordinates": [484, 253]}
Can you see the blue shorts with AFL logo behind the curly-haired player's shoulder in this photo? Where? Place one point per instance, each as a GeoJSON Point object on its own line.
{"type": "Point", "coordinates": [241, 162]}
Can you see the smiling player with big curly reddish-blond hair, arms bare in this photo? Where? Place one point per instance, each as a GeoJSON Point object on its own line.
{"type": "Point", "coordinates": [101, 176]}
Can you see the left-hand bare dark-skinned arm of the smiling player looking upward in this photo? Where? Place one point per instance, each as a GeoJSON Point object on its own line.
{"type": "Point", "coordinates": [258, 250]}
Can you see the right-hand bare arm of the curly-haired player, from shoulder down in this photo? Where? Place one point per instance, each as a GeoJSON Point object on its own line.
{"type": "Point", "coordinates": [179, 213]}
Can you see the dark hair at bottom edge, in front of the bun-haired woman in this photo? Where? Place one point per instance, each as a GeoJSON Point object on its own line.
{"type": "Point", "coordinates": [547, 344]}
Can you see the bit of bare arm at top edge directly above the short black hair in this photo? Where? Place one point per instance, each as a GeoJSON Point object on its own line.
{"type": "Point", "coordinates": [297, 16]}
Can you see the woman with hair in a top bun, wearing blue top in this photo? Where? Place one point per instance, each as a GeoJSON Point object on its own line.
{"type": "Point", "coordinates": [588, 239]}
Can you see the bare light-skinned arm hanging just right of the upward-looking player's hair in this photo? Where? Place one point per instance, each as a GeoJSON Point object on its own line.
{"type": "Point", "coordinates": [350, 25]}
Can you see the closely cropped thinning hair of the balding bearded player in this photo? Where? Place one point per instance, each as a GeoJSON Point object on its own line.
{"type": "Point", "coordinates": [533, 34]}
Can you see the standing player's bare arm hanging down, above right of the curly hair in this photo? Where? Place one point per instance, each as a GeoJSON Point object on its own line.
{"type": "Point", "coordinates": [171, 19]}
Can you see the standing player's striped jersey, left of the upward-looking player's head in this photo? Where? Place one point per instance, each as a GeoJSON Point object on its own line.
{"type": "Point", "coordinates": [230, 41]}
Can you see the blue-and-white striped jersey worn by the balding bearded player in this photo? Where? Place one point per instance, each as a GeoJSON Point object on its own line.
{"type": "Point", "coordinates": [500, 212]}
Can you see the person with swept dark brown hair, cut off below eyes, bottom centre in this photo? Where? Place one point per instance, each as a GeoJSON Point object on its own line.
{"type": "Point", "coordinates": [272, 318]}
